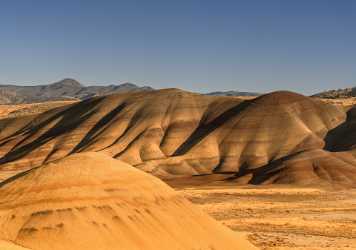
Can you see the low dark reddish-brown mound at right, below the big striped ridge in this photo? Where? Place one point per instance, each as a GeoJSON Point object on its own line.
{"type": "Point", "coordinates": [308, 168]}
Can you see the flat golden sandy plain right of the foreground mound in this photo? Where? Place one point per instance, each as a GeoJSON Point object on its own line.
{"type": "Point", "coordinates": [283, 218]}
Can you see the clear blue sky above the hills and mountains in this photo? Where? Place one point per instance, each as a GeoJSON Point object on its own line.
{"type": "Point", "coordinates": [300, 45]}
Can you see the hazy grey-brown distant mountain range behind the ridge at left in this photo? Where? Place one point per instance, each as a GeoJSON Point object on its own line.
{"type": "Point", "coordinates": [66, 89]}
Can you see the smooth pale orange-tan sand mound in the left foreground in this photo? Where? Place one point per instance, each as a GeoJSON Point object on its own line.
{"type": "Point", "coordinates": [91, 201]}
